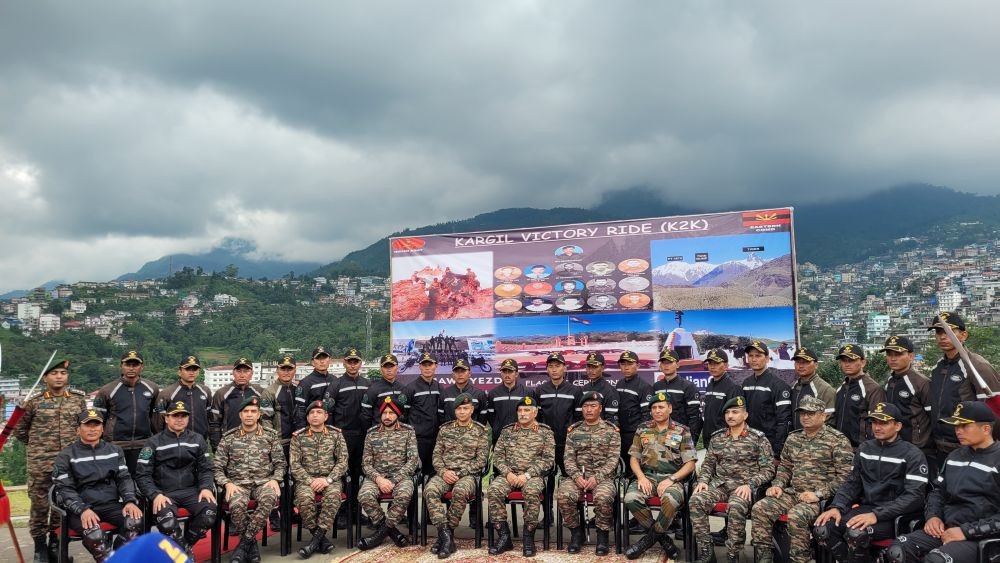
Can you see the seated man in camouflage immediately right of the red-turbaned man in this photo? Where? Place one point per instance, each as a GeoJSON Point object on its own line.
{"type": "Point", "coordinates": [460, 455]}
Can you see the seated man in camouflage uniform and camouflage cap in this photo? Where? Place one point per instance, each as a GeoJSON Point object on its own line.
{"type": "Point", "coordinates": [815, 461]}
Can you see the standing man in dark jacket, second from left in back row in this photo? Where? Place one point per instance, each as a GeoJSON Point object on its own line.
{"type": "Point", "coordinates": [128, 407]}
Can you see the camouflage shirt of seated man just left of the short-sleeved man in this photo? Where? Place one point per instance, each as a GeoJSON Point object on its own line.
{"type": "Point", "coordinates": [592, 450]}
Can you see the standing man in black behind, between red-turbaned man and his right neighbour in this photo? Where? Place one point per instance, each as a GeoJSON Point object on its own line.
{"type": "Point", "coordinates": [423, 410]}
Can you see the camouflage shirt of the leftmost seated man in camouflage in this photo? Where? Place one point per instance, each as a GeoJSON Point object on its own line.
{"type": "Point", "coordinates": [249, 458]}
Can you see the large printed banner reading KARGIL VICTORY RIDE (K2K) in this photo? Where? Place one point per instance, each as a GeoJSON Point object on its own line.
{"type": "Point", "coordinates": [687, 283]}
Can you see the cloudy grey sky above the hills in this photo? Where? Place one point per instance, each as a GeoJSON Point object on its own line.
{"type": "Point", "coordinates": [130, 130]}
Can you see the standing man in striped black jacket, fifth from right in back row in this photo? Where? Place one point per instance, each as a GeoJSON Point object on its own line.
{"type": "Point", "coordinates": [769, 400]}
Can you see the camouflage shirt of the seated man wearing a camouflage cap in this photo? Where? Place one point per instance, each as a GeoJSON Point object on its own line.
{"type": "Point", "coordinates": [818, 464]}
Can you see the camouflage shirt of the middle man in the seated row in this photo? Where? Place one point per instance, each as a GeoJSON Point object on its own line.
{"type": "Point", "coordinates": [529, 450]}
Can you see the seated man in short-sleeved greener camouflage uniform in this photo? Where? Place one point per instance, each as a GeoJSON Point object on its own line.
{"type": "Point", "coordinates": [662, 457]}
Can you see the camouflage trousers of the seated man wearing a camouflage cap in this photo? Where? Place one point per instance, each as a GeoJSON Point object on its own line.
{"type": "Point", "coordinates": [801, 516]}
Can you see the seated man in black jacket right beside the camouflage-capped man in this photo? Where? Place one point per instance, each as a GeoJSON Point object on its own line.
{"type": "Point", "coordinates": [889, 479]}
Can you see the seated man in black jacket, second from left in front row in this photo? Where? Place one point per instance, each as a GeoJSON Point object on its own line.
{"type": "Point", "coordinates": [174, 471]}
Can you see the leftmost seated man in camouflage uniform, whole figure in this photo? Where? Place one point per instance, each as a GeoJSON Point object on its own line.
{"type": "Point", "coordinates": [249, 464]}
